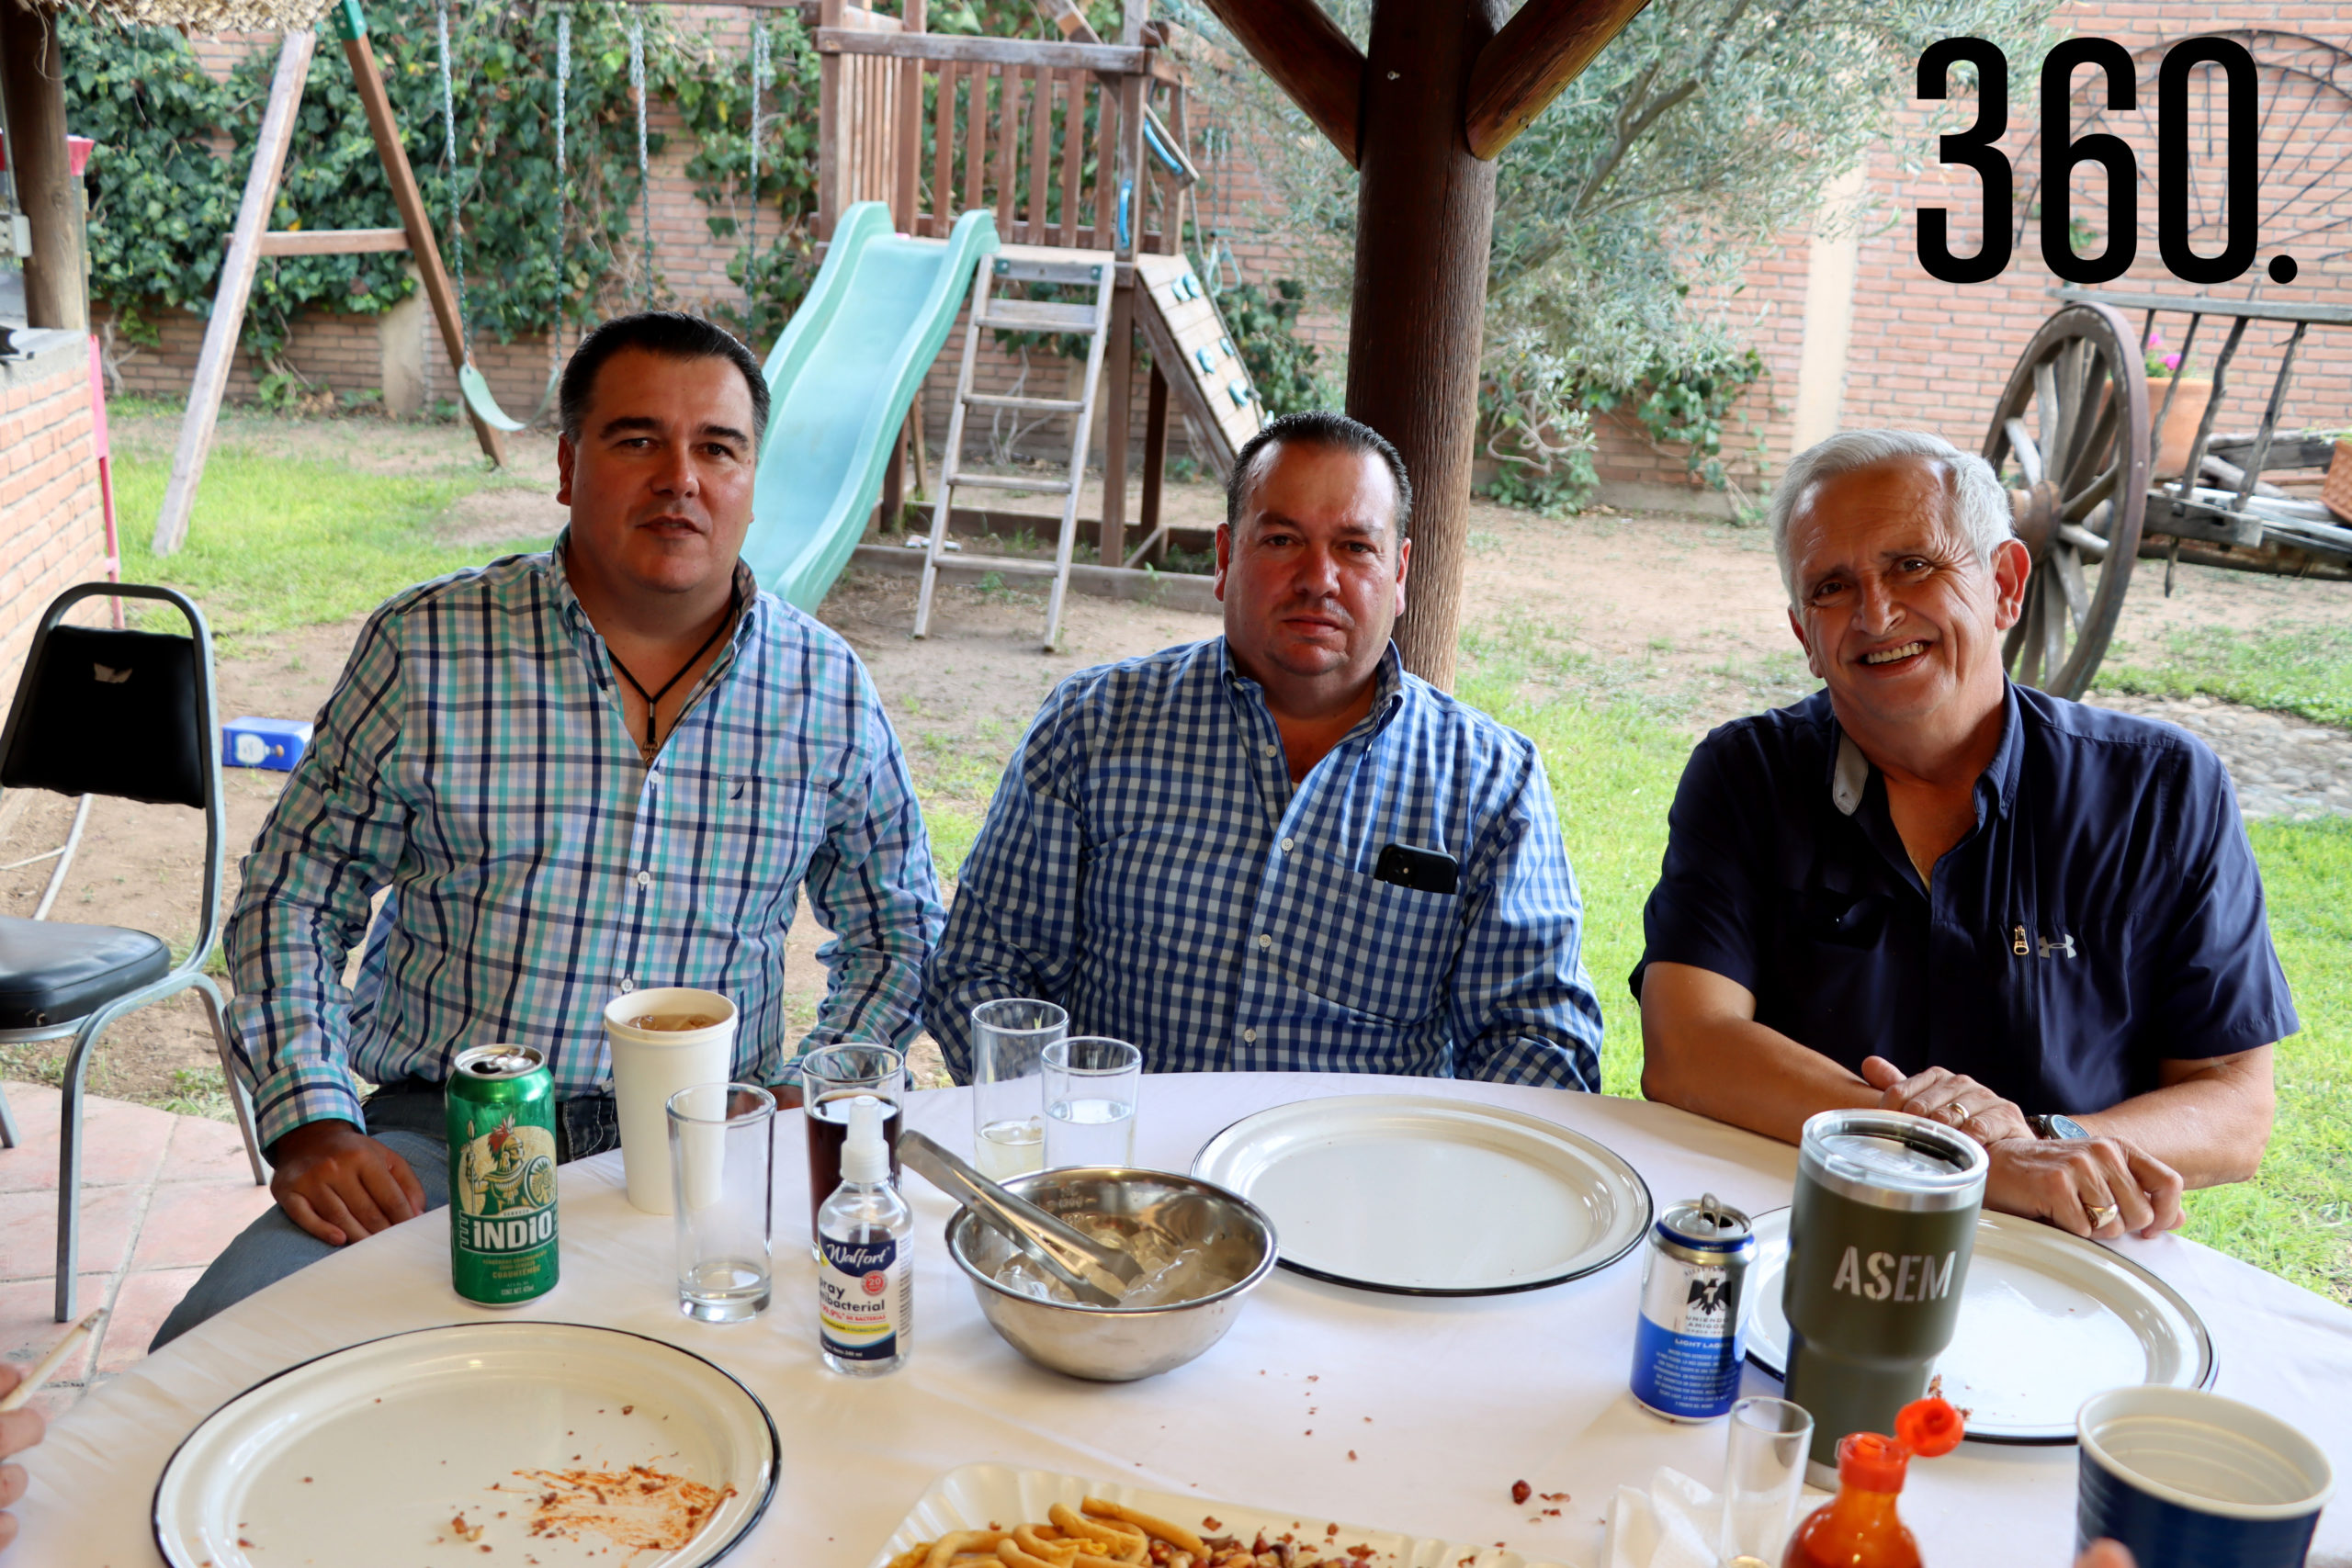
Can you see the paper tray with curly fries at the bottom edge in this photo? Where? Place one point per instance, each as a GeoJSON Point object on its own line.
{"type": "Point", "coordinates": [1003, 1517]}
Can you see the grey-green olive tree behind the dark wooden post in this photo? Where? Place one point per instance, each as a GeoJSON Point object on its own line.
{"type": "Point", "coordinates": [1626, 215]}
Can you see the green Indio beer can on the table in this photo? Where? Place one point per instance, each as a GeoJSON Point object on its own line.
{"type": "Point", "coordinates": [502, 1177]}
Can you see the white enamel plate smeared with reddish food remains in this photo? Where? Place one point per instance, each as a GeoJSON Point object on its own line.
{"type": "Point", "coordinates": [476, 1442]}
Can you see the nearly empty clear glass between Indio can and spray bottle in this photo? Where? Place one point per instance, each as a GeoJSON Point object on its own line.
{"type": "Point", "coordinates": [723, 1162]}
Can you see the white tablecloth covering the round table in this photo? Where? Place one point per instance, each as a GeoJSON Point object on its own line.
{"type": "Point", "coordinates": [1464, 1395]}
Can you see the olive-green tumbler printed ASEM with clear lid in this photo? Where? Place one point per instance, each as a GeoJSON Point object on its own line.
{"type": "Point", "coordinates": [1878, 1254]}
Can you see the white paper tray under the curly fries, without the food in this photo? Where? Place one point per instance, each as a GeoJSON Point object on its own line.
{"type": "Point", "coordinates": [982, 1496]}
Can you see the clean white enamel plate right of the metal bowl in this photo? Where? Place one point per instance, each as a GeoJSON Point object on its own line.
{"type": "Point", "coordinates": [1431, 1198]}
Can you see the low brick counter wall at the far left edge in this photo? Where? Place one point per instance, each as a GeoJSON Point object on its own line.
{"type": "Point", "coordinates": [53, 528]}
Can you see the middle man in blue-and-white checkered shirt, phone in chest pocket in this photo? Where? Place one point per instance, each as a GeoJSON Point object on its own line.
{"type": "Point", "coordinates": [1276, 850]}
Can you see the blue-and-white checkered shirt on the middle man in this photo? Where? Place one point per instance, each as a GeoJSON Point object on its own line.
{"type": "Point", "coordinates": [1149, 866]}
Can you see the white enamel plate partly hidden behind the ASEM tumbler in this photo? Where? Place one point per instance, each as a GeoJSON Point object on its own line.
{"type": "Point", "coordinates": [2045, 1322]}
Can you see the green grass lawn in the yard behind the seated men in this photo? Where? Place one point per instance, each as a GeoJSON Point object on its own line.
{"type": "Point", "coordinates": [293, 542]}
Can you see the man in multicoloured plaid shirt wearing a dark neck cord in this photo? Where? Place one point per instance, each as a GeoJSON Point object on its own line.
{"type": "Point", "coordinates": [587, 772]}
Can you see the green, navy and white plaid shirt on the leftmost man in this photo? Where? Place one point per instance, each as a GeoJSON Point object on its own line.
{"type": "Point", "coordinates": [474, 758]}
